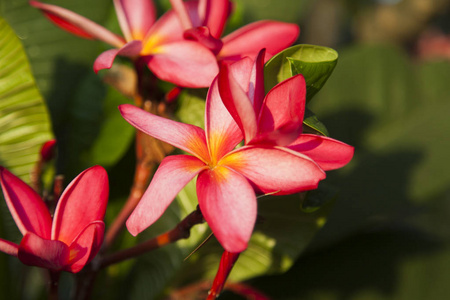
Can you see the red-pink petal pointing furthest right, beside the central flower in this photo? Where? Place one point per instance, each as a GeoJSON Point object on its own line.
{"type": "Point", "coordinates": [328, 153]}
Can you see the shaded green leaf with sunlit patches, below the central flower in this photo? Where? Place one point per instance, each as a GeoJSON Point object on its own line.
{"type": "Point", "coordinates": [282, 232]}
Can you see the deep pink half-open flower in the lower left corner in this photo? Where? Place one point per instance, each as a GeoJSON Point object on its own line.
{"type": "Point", "coordinates": [73, 237]}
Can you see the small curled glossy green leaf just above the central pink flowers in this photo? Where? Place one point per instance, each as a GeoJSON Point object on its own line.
{"type": "Point", "coordinates": [316, 63]}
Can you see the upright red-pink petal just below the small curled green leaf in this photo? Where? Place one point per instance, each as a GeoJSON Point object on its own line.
{"type": "Point", "coordinates": [281, 116]}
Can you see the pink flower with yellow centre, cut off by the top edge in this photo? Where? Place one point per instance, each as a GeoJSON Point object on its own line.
{"type": "Point", "coordinates": [159, 43]}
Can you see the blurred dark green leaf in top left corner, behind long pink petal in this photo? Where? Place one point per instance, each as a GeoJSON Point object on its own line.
{"type": "Point", "coordinates": [59, 60]}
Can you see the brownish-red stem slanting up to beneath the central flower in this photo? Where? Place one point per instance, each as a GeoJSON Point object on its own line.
{"type": "Point", "coordinates": [181, 231]}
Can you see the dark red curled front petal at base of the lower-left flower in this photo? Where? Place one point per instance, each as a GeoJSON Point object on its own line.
{"type": "Point", "coordinates": [39, 252]}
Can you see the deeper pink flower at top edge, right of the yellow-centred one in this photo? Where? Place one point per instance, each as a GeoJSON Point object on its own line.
{"type": "Point", "coordinates": [204, 21]}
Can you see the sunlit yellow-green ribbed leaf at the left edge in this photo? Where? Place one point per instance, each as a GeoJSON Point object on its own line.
{"type": "Point", "coordinates": [24, 119]}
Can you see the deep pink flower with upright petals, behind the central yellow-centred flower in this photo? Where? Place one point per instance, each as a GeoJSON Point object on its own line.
{"type": "Point", "coordinates": [276, 119]}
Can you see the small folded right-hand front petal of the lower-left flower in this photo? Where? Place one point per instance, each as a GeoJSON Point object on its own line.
{"type": "Point", "coordinates": [85, 246]}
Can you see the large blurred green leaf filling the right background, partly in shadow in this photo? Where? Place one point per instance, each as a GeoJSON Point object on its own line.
{"type": "Point", "coordinates": [387, 236]}
